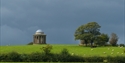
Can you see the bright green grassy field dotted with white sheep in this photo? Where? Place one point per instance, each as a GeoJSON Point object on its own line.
{"type": "Point", "coordinates": [73, 49]}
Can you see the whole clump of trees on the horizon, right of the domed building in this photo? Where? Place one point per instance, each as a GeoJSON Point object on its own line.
{"type": "Point", "coordinates": [90, 34]}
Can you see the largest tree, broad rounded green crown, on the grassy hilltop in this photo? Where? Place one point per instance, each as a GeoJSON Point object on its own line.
{"type": "Point", "coordinates": [87, 32]}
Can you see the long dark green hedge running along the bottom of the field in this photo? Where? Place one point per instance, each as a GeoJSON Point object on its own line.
{"type": "Point", "coordinates": [63, 56]}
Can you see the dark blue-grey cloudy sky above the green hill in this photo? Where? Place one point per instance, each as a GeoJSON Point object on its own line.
{"type": "Point", "coordinates": [58, 19]}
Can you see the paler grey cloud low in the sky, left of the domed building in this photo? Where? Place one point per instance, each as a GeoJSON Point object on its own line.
{"type": "Point", "coordinates": [12, 35]}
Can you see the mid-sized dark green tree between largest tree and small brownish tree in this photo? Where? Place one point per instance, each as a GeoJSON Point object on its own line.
{"type": "Point", "coordinates": [102, 39]}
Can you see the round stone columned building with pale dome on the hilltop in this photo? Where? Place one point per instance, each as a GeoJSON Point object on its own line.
{"type": "Point", "coordinates": [39, 37]}
